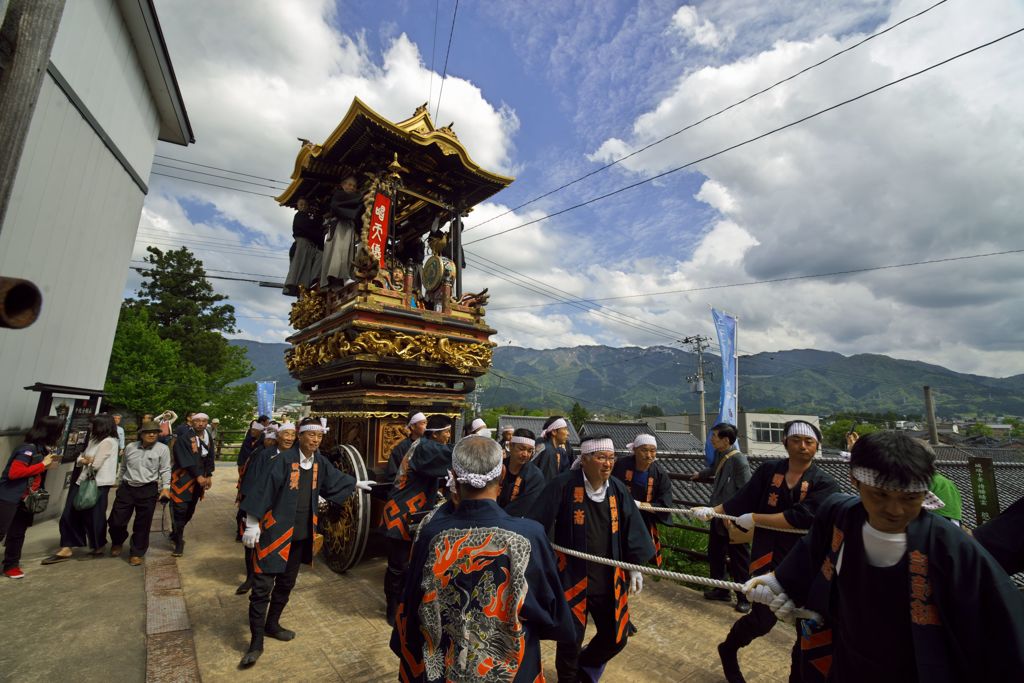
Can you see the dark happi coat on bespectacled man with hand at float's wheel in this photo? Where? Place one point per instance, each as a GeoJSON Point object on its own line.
{"type": "Point", "coordinates": [275, 497]}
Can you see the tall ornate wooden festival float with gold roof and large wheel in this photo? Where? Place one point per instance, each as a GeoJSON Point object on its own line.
{"type": "Point", "coordinates": [403, 335]}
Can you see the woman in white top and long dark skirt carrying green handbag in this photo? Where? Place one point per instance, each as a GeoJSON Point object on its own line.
{"type": "Point", "coordinates": [84, 520]}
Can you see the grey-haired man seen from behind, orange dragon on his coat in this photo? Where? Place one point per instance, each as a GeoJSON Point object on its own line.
{"type": "Point", "coordinates": [483, 588]}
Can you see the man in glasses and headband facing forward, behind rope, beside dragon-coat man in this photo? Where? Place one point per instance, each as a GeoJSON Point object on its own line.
{"type": "Point", "coordinates": [588, 510]}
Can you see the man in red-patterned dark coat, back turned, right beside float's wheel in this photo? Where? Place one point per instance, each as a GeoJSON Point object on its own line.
{"type": "Point", "coordinates": [417, 484]}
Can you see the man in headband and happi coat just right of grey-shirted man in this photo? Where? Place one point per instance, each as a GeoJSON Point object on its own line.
{"type": "Point", "coordinates": [192, 476]}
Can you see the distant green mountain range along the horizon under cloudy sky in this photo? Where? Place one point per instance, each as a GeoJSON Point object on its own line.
{"type": "Point", "coordinates": [618, 381]}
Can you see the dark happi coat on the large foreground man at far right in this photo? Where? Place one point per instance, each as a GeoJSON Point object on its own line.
{"type": "Point", "coordinates": [966, 616]}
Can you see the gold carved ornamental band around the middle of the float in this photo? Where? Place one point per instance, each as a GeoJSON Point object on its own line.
{"type": "Point", "coordinates": [463, 357]}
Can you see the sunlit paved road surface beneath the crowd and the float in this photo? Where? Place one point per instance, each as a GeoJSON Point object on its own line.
{"type": "Point", "coordinates": [94, 614]}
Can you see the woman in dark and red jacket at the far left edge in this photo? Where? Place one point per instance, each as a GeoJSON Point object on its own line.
{"type": "Point", "coordinates": [22, 495]}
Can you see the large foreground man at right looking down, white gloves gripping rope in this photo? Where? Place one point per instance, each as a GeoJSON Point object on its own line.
{"type": "Point", "coordinates": [906, 595]}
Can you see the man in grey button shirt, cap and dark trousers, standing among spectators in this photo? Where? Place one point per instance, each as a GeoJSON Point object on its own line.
{"type": "Point", "coordinates": [145, 475]}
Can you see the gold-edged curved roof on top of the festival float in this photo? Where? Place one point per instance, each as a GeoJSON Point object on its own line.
{"type": "Point", "coordinates": [437, 169]}
